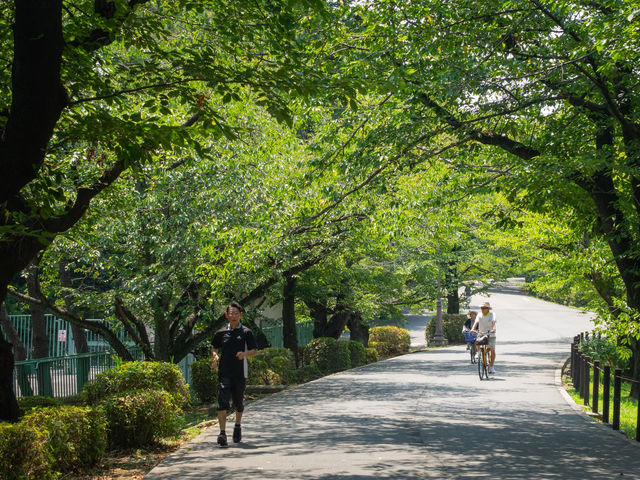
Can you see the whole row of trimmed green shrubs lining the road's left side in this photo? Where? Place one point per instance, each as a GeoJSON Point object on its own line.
{"type": "Point", "coordinates": [134, 415]}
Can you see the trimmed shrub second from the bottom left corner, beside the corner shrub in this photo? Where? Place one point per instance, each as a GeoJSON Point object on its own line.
{"type": "Point", "coordinates": [77, 436]}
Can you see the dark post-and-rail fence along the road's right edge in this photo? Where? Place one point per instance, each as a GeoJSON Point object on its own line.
{"type": "Point", "coordinates": [582, 370]}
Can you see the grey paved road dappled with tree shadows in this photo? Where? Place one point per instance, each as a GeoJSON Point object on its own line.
{"type": "Point", "coordinates": [427, 415]}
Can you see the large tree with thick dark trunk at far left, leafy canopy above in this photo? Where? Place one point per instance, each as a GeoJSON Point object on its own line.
{"type": "Point", "coordinates": [97, 87]}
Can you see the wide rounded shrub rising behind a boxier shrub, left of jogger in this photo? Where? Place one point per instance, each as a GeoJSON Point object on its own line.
{"type": "Point", "coordinates": [138, 376]}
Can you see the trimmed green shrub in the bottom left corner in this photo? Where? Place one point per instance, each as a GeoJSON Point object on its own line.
{"type": "Point", "coordinates": [24, 452]}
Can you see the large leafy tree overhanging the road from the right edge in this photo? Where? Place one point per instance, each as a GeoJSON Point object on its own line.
{"type": "Point", "coordinates": [541, 96]}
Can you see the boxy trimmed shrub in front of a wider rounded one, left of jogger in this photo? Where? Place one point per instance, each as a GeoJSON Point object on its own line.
{"type": "Point", "coordinates": [141, 417]}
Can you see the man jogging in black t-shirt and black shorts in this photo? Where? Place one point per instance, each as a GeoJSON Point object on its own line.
{"type": "Point", "coordinates": [235, 343]}
